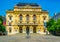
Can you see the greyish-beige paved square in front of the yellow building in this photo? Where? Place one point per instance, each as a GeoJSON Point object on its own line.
{"type": "Point", "coordinates": [41, 38]}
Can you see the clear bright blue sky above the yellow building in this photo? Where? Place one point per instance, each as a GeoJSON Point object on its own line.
{"type": "Point", "coordinates": [52, 6]}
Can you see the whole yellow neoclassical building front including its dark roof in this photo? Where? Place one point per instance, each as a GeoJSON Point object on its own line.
{"type": "Point", "coordinates": [26, 17]}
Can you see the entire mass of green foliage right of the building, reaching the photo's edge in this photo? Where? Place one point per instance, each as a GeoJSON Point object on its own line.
{"type": "Point", "coordinates": [53, 25]}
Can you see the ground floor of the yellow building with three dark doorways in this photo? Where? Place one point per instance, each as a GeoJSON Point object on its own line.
{"type": "Point", "coordinates": [25, 29]}
